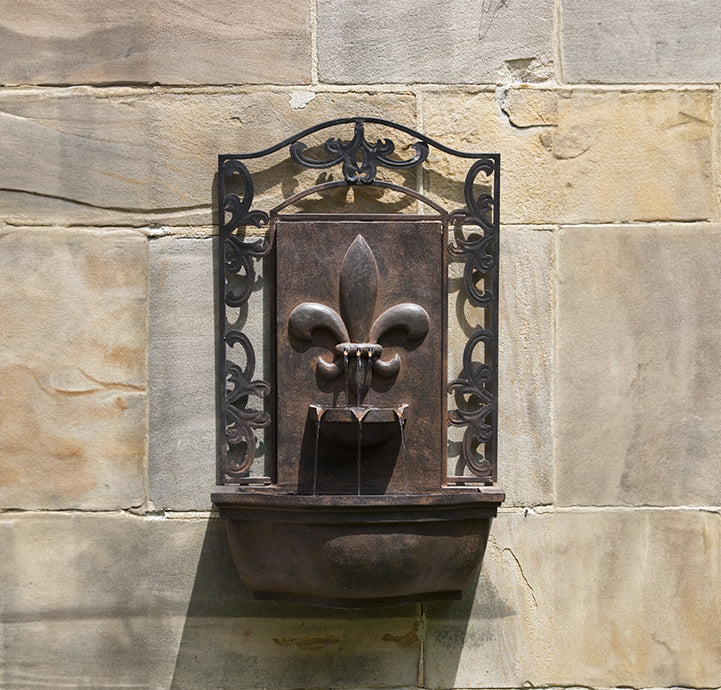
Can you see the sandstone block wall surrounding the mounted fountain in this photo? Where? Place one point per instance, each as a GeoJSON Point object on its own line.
{"type": "Point", "coordinates": [603, 568]}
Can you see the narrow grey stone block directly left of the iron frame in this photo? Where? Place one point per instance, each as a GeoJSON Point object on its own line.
{"type": "Point", "coordinates": [182, 445]}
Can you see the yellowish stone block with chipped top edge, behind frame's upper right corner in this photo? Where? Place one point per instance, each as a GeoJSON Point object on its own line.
{"type": "Point", "coordinates": [583, 156]}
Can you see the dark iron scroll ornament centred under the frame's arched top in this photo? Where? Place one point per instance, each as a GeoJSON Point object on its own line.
{"type": "Point", "coordinates": [371, 156]}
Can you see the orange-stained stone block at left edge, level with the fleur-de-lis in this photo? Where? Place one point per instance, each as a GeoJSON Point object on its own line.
{"type": "Point", "coordinates": [72, 369]}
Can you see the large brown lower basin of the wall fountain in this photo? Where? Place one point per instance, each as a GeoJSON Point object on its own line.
{"type": "Point", "coordinates": [357, 552]}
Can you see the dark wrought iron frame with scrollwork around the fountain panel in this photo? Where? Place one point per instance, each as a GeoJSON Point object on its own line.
{"type": "Point", "coordinates": [359, 159]}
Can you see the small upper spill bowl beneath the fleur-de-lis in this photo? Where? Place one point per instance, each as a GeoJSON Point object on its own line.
{"type": "Point", "coordinates": [341, 424]}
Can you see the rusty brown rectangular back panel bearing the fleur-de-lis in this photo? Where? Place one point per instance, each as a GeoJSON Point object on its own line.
{"type": "Point", "coordinates": [312, 258]}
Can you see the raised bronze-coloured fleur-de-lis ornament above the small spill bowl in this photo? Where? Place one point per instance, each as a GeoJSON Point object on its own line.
{"type": "Point", "coordinates": [356, 333]}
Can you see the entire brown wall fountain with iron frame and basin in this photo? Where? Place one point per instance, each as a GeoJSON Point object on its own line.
{"type": "Point", "coordinates": [358, 504]}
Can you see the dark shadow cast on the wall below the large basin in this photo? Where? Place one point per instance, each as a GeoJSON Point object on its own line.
{"type": "Point", "coordinates": [230, 640]}
